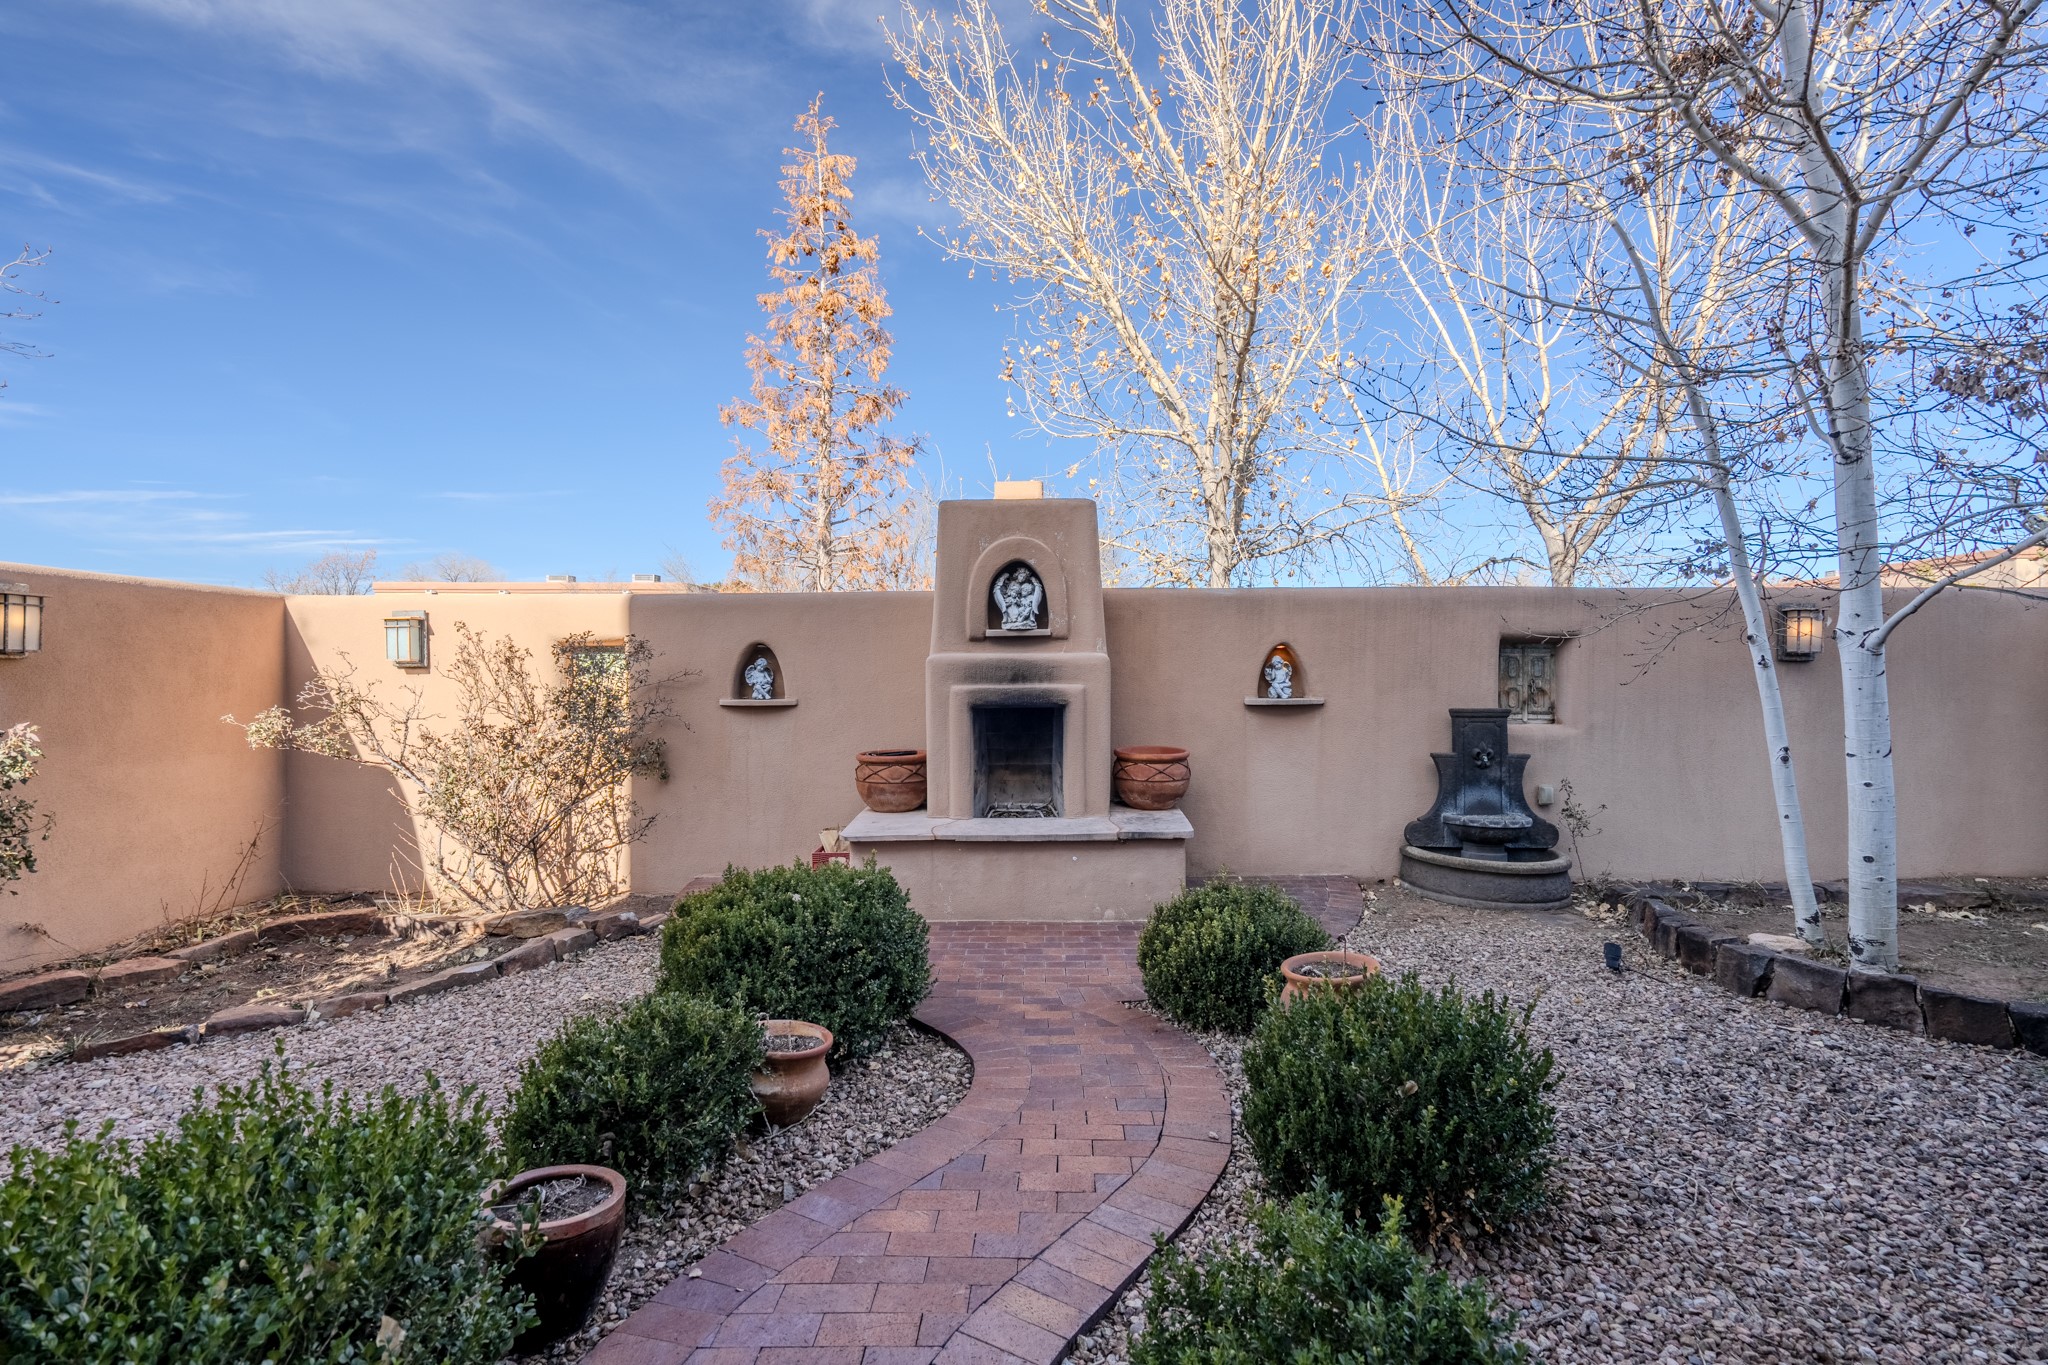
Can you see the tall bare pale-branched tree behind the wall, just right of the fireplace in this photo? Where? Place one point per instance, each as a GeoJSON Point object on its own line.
{"type": "Point", "coordinates": [1193, 245]}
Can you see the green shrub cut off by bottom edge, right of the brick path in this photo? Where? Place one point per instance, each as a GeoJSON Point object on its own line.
{"type": "Point", "coordinates": [1318, 1292]}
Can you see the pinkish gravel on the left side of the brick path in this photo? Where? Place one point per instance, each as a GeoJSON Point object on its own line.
{"type": "Point", "coordinates": [480, 1037]}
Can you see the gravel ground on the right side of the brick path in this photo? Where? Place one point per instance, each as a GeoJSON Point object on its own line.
{"type": "Point", "coordinates": [1736, 1182]}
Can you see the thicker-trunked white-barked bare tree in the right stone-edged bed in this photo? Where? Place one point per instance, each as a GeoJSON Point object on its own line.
{"type": "Point", "coordinates": [1861, 138]}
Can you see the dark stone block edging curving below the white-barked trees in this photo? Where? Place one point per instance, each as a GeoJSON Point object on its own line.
{"type": "Point", "coordinates": [1791, 979]}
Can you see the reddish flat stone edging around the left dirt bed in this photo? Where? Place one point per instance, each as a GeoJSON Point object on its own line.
{"type": "Point", "coordinates": [56, 989]}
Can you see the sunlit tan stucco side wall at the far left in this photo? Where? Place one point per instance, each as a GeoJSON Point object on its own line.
{"type": "Point", "coordinates": [153, 797]}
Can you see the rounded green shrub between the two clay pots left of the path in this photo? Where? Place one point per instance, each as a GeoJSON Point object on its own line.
{"type": "Point", "coordinates": [656, 1090]}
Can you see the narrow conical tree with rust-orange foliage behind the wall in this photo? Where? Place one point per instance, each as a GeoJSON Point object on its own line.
{"type": "Point", "coordinates": [820, 502]}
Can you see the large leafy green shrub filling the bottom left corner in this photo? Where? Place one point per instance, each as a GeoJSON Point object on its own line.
{"type": "Point", "coordinates": [271, 1225]}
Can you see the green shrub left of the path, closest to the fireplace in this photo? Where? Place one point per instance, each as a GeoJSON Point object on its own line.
{"type": "Point", "coordinates": [835, 946]}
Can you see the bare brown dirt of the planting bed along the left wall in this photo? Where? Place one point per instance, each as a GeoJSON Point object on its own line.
{"type": "Point", "coordinates": [284, 973]}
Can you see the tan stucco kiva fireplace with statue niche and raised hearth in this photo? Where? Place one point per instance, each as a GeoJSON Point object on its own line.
{"type": "Point", "coordinates": [1019, 820]}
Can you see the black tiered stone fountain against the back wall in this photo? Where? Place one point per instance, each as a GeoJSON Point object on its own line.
{"type": "Point", "coordinates": [1482, 844]}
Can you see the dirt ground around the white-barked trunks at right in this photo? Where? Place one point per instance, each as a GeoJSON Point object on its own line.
{"type": "Point", "coordinates": [1983, 938]}
